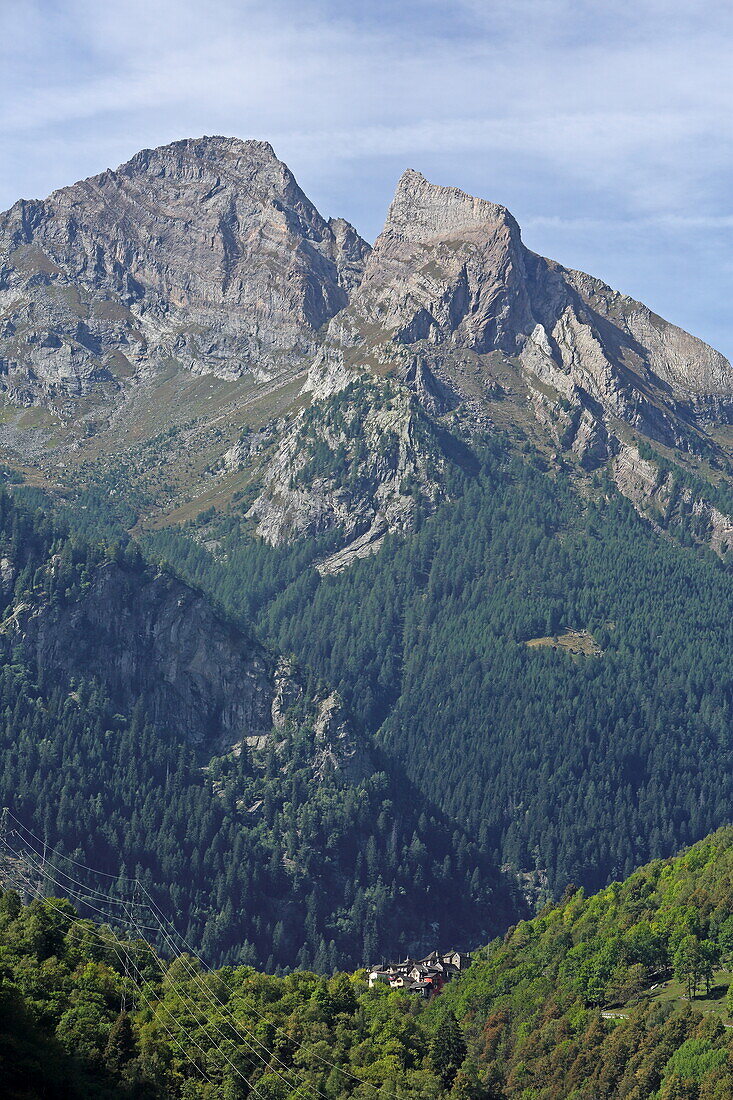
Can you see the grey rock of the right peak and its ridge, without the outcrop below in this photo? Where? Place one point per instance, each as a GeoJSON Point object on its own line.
{"type": "Point", "coordinates": [450, 274]}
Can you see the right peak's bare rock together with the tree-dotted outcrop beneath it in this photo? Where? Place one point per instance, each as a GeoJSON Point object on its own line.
{"type": "Point", "coordinates": [451, 277]}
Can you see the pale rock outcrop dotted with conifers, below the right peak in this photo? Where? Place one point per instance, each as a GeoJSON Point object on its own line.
{"type": "Point", "coordinates": [360, 463]}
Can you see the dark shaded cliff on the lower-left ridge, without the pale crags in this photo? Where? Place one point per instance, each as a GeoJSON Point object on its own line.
{"type": "Point", "coordinates": [158, 642]}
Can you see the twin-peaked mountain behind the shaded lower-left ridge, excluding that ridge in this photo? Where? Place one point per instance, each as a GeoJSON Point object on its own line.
{"type": "Point", "coordinates": [408, 486]}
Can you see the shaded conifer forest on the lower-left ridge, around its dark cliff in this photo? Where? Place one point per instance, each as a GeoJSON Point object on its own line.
{"type": "Point", "coordinates": [257, 862]}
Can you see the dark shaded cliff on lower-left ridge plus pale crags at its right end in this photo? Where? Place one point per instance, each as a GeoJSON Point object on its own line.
{"type": "Point", "coordinates": [150, 640]}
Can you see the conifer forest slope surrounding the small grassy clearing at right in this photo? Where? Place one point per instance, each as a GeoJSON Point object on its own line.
{"type": "Point", "coordinates": [571, 768]}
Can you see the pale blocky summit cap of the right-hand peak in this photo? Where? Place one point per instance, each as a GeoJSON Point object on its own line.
{"type": "Point", "coordinates": [422, 211]}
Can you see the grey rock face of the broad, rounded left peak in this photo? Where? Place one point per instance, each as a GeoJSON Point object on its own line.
{"type": "Point", "coordinates": [205, 254]}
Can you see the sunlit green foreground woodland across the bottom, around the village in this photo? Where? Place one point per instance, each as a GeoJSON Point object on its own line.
{"type": "Point", "coordinates": [621, 995]}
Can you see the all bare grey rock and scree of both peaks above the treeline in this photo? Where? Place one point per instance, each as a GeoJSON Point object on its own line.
{"type": "Point", "coordinates": [204, 260]}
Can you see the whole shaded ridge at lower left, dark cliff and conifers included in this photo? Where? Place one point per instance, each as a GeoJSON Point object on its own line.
{"type": "Point", "coordinates": [145, 734]}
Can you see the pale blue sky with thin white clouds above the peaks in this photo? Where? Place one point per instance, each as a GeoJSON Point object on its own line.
{"type": "Point", "coordinates": [605, 127]}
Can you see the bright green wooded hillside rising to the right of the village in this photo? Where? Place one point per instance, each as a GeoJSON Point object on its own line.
{"type": "Point", "coordinates": [610, 996]}
